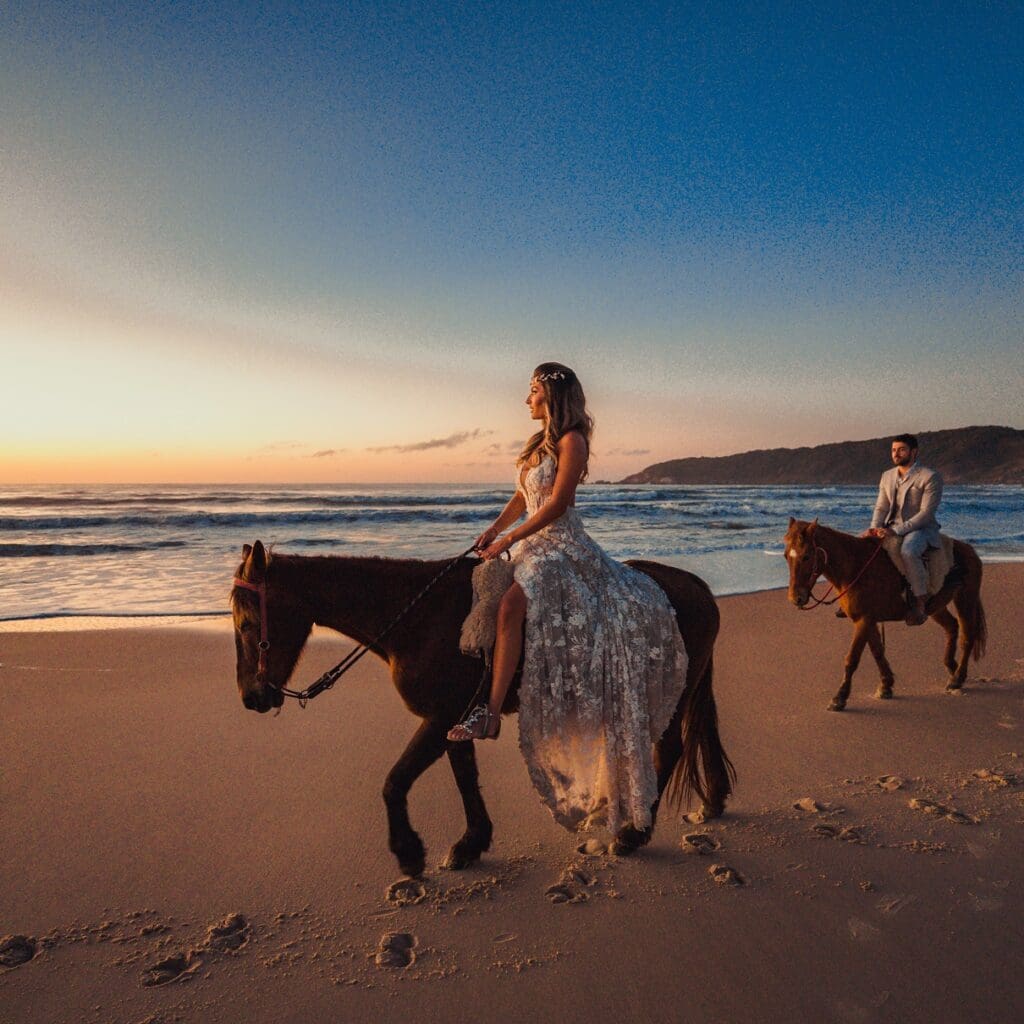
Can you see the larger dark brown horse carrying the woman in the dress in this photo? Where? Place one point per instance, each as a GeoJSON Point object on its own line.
{"type": "Point", "coordinates": [360, 596]}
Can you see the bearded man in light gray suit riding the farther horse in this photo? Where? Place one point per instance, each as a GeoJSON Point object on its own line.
{"type": "Point", "coordinates": [909, 497]}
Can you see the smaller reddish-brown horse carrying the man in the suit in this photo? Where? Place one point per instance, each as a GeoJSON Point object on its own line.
{"type": "Point", "coordinates": [870, 591]}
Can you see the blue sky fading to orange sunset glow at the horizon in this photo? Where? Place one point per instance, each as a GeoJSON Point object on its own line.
{"type": "Point", "coordinates": [328, 243]}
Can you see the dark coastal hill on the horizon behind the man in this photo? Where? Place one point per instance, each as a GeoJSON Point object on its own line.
{"type": "Point", "coordinates": [967, 455]}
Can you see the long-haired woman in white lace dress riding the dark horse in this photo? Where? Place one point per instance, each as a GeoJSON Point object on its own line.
{"type": "Point", "coordinates": [605, 664]}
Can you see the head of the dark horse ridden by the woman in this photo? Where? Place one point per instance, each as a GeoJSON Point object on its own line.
{"type": "Point", "coordinates": [272, 625]}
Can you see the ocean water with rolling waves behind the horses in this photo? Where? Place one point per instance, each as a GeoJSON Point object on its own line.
{"type": "Point", "coordinates": [173, 550]}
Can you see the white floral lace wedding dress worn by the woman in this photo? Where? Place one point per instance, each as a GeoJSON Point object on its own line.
{"type": "Point", "coordinates": [605, 667]}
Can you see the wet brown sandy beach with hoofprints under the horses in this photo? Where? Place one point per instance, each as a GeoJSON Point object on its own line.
{"type": "Point", "coordinates": [169, 857]}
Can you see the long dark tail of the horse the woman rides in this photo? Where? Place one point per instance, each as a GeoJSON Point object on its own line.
{"type": "Point", "coordinates": [704, 769]}
